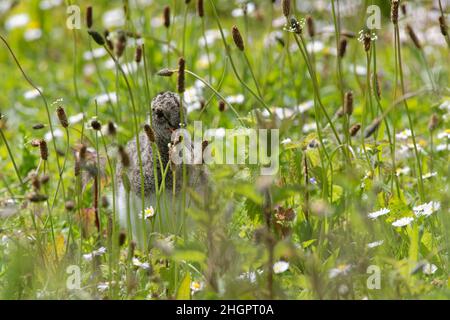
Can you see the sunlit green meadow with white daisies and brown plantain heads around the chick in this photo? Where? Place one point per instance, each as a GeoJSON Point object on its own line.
{"type": "Point", "coordinates": [358, 92]}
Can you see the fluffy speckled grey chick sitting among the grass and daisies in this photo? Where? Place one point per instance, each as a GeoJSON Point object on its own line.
{"type": "Point", "coordinates": [166, 119]}
